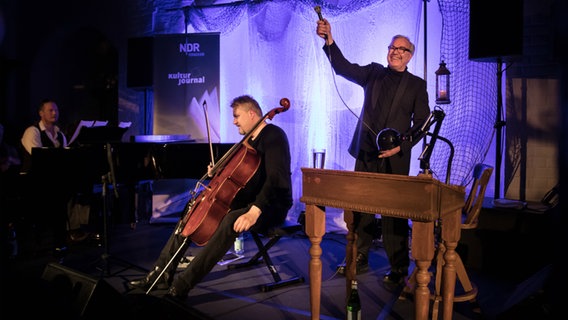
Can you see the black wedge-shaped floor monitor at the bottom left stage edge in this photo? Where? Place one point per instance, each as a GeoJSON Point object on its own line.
{"type": "Point", "coordinates": [80, 295]}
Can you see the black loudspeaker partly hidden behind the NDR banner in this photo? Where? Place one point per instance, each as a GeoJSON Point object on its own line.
{"type": "Point", "coordinates": [140, 62]}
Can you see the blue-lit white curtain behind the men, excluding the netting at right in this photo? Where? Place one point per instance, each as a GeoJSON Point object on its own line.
{"type": "Point", "coordinates": [270, 51]}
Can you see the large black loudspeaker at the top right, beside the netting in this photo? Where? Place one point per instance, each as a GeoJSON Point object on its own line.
{"type": "Point", "coordinates": [495, 30]}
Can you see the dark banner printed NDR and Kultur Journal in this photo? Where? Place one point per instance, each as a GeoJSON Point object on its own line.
{"type": "Point", "coordinates": [186, 85]}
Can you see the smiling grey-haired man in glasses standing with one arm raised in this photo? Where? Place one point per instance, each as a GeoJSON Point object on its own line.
{"type": "Point", "coordinates": [394, 98]}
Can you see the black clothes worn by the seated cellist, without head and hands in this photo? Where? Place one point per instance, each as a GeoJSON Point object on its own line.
{"type": "Point", "coordinates": [270, 189]}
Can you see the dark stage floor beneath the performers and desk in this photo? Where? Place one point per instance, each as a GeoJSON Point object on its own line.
{"type": "Point", "coordinates": [231, 294]}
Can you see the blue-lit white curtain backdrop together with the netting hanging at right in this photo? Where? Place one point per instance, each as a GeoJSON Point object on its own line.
{"type": "Point", "coordinates": [269, 50]}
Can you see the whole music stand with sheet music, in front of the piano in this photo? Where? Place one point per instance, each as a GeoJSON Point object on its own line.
{"type": "Point", "coordinates": [107, 135]}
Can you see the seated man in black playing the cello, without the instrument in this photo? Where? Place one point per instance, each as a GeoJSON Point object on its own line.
{"type": "Point", "coordinates": [261, 204]}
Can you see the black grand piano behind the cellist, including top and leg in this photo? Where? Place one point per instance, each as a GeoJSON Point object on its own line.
{"type": "Point", "coordinates": [84, 167]}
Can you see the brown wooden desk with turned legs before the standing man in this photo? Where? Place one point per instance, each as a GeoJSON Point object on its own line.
{"type": "Point", "coordinates": [422, 199]}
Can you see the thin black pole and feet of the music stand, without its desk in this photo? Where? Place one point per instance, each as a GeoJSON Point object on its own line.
{"type": "Point", "coordinates": [107, 178]}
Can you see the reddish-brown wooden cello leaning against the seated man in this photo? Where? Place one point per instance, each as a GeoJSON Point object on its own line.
{"type": "Point", "coordinates": [207, 207]}
